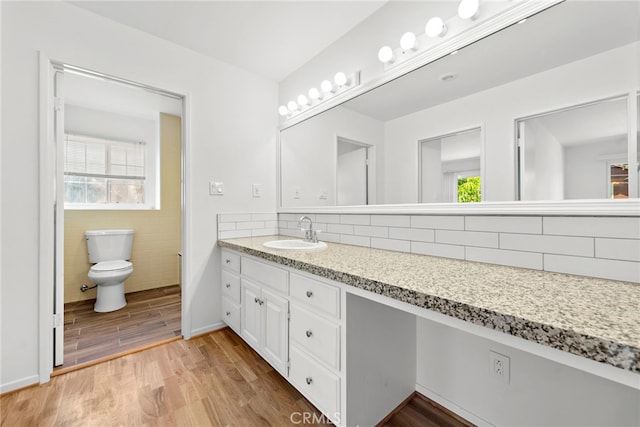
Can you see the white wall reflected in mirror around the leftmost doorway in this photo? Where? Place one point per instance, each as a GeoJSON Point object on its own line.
{"type": "Point", "coordinates": [308, 153]}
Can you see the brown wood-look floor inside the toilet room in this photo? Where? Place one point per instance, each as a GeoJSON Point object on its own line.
{"type": "Point", "coordinates": [149, 317]}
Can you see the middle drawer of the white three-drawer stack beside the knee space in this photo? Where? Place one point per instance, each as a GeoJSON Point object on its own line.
{"type": "Point", "coordinates": [318, 336]}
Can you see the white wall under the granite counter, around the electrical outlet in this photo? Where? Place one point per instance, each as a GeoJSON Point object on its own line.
{"type": "Point", "coordinates": [455, 365]}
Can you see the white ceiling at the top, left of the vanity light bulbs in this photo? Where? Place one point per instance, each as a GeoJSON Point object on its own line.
{"type": "Point", "coordinates": [269, 38]}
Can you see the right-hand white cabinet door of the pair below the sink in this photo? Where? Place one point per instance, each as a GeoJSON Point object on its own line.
{"type": "Point", "coordinates": [276, 329]}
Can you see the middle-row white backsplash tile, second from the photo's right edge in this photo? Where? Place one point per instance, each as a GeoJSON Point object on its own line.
{"type": "Point", "coordinates": [562, 245]}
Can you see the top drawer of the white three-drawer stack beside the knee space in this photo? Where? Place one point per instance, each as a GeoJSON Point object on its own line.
{"type": "Point", "coordinates": [319, 295]}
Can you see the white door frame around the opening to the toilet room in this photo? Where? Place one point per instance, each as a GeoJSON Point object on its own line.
{"type": "Point", "coordinates": [49, 196]}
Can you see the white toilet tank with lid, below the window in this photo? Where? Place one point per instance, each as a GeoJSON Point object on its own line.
{"type": "Point", "coordinates": [109, 245]}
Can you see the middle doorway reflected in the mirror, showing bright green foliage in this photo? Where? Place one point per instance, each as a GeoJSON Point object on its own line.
{"type": "Point", "coordinates": [450, 168]}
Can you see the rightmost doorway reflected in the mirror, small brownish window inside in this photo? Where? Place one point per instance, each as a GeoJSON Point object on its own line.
{"type": "Point", "coordinates": [575, 153]}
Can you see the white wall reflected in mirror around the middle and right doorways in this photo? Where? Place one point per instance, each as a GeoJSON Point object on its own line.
{"type": "Point", "coordinates": [611, 73]}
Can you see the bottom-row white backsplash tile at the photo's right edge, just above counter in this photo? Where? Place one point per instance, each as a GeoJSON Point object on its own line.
{"type": "Point", "coordinates": [594, 267]}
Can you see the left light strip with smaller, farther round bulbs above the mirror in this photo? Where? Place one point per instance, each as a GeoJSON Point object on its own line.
{"type": "Point", "coordinates": [315, 96]}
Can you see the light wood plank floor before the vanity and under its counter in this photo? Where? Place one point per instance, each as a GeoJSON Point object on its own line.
{"type": "Point", "coordinates": [211, 380]}
